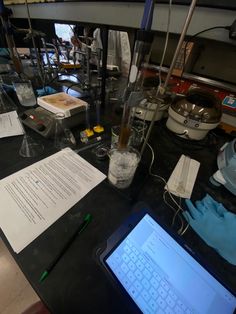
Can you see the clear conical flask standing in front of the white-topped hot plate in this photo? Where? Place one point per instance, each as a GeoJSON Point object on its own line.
{"type": "Point", "coordinates": [63, 136]}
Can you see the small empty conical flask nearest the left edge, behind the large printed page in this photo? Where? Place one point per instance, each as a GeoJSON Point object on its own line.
{"type": "Point", "coordinates": [30, 147]}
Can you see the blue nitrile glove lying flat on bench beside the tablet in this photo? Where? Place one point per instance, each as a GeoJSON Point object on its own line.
{"type": "Point", "coordinates": [214, 224]}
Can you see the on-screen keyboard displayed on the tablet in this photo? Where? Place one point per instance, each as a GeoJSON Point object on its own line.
{"type": "Point", "coordinates": [145, 284]}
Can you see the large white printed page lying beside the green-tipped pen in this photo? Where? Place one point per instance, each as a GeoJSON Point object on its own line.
{"type": "Point", "coordinates": [33, 198]}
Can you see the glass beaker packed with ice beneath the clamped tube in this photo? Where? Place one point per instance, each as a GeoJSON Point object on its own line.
{"type": "Point", "coordinates": [122, 166]}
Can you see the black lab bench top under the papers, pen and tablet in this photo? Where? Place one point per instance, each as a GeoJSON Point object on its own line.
{"type": "Point", "coordinates": [78, 283]}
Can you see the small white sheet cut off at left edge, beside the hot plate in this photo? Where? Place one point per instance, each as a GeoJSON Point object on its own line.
{"type": "Point", "coordinates": [10, 124]}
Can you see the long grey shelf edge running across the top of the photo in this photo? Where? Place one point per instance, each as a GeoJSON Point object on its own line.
{"type": "Point", "coordinates": [129, 14]}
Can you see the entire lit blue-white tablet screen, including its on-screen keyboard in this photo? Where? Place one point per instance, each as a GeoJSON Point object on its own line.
{"type": "Point", "coordinates": [161, 277]}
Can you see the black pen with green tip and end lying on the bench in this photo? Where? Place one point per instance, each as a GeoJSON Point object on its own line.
{"type": "Point", "coordinates": [84, 224]}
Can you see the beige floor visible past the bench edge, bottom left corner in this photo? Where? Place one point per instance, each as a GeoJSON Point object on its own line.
{"type": "Point", "coordinates": [16, 294]}
